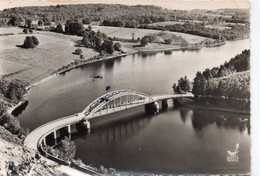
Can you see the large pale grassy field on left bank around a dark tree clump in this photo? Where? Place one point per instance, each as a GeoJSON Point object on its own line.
{"type": "Point", "coordinates": [32, 65]}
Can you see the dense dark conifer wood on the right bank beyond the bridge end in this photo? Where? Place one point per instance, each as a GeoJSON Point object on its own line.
{"type": "Point", "coordinates": [228, 84]}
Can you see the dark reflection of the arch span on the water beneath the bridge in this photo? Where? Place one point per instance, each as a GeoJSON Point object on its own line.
{"type": "Point", "coordinates": [114, 127]}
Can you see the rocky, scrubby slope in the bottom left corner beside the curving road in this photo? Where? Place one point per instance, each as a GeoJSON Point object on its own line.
{"type": "Point", "coordinates": [18, 160]}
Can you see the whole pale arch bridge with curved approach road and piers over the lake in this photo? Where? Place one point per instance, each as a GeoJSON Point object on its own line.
{"type": "Point", "coordinates": [108, 103]}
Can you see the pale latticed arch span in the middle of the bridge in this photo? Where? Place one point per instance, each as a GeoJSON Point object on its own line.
{"type": "Point", "coordinates": [116, 100]}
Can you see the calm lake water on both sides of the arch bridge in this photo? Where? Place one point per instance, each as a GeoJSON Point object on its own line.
{"type": "Point", "coordinates": [175, 141]}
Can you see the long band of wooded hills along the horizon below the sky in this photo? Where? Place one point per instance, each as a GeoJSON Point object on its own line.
{"type": "Point", "coordinates": [121, 15]}
